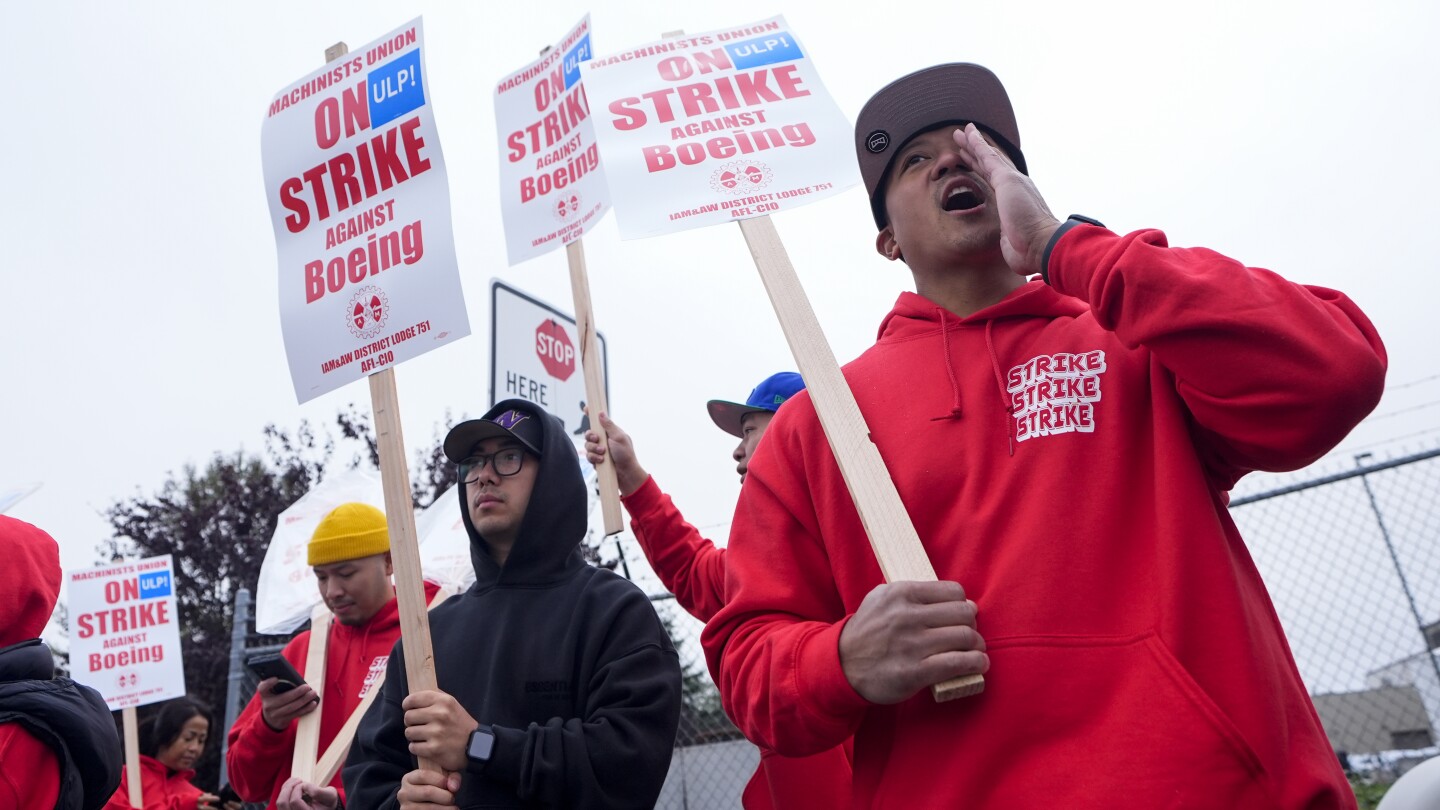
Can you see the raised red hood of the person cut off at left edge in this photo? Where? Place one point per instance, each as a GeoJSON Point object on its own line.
{"type": "Point", "coordinates": [32, 584]}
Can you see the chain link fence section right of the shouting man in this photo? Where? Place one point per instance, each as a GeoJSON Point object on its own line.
{"type": "Point", "coordinates": [1353, 563]}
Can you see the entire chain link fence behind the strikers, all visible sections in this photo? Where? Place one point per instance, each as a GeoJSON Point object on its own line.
{"type": "Point", "coordinates": [1353, 563]}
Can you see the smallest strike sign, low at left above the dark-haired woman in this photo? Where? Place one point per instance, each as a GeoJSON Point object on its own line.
{"type": "Point", "coordinates": [126, 632]}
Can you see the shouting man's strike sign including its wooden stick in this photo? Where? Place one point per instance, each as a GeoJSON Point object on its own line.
{"type": "Point", "coordinates": [760, 70]}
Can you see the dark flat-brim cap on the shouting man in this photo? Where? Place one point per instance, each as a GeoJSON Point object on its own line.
{"type": "Point", "coordinates": [960, 93]}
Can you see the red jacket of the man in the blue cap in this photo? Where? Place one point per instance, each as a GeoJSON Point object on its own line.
{"type": "Point", "coordinates": [693, 569]}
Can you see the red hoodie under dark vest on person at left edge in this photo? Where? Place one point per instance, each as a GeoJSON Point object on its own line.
{"type": "Point", "coordinates": [30, 770]}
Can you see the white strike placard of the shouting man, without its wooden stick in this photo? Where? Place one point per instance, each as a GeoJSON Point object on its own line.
{"type": "Point", "coordinates": [716, 128]}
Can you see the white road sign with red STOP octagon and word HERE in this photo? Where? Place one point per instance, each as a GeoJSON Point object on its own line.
{"type": "Point", "coordinates": [535, 355]}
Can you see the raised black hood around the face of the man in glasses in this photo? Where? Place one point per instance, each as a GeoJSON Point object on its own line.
{"type": "Point", "coordinates": [549, 543]}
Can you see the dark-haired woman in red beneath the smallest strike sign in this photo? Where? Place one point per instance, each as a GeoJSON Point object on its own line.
{"type": "Point", "coordinates": [172, 742]}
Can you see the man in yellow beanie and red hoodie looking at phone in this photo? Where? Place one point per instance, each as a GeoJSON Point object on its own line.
{"type": "Point", "coordinates": [351, 556]}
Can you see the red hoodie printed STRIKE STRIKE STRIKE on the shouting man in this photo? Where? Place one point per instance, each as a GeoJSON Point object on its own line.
{"type": "Point", "coordinates": [1065, 455]}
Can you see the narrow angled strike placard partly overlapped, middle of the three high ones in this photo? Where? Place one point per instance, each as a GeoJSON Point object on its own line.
{"type": "Point", "coordinates": [552, 190]}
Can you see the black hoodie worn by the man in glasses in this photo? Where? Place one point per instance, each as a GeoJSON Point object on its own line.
{"type": "Point", "coordinates": [567, 662]}
